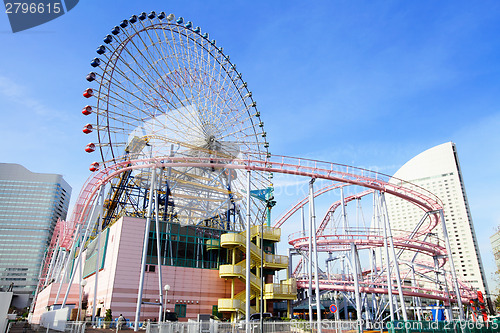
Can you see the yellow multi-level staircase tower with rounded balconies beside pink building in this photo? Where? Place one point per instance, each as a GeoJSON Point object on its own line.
{"type": "Point", "coordinates": [261, 255]}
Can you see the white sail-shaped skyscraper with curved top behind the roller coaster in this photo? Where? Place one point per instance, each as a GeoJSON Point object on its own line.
{"type": "Point", "coordinates": [438, 170]}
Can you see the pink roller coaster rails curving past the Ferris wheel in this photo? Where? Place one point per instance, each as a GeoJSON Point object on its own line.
{"type": "Point", "coordinates": [341, 174]}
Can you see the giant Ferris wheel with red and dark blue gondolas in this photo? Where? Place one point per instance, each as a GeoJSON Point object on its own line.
{"type": "Point", "coordinates": [165, 89]}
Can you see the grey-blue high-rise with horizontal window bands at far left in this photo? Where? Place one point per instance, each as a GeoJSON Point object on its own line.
{"type": "Point", "coordinates": [30, 204]}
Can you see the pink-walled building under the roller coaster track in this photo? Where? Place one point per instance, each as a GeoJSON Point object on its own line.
{"type": "Point", "coordinates": [192, 291]}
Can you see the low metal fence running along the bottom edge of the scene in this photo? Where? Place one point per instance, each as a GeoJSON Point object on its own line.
{"type": "Point", "coordinates": [294, 326]}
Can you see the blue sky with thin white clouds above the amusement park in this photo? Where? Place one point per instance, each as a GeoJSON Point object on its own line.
{"type": "Point", "coordinates": [366, 83]}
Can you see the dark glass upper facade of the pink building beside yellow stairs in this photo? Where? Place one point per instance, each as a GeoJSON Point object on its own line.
{"type": "Point", "coordinates": [187, 246]}
